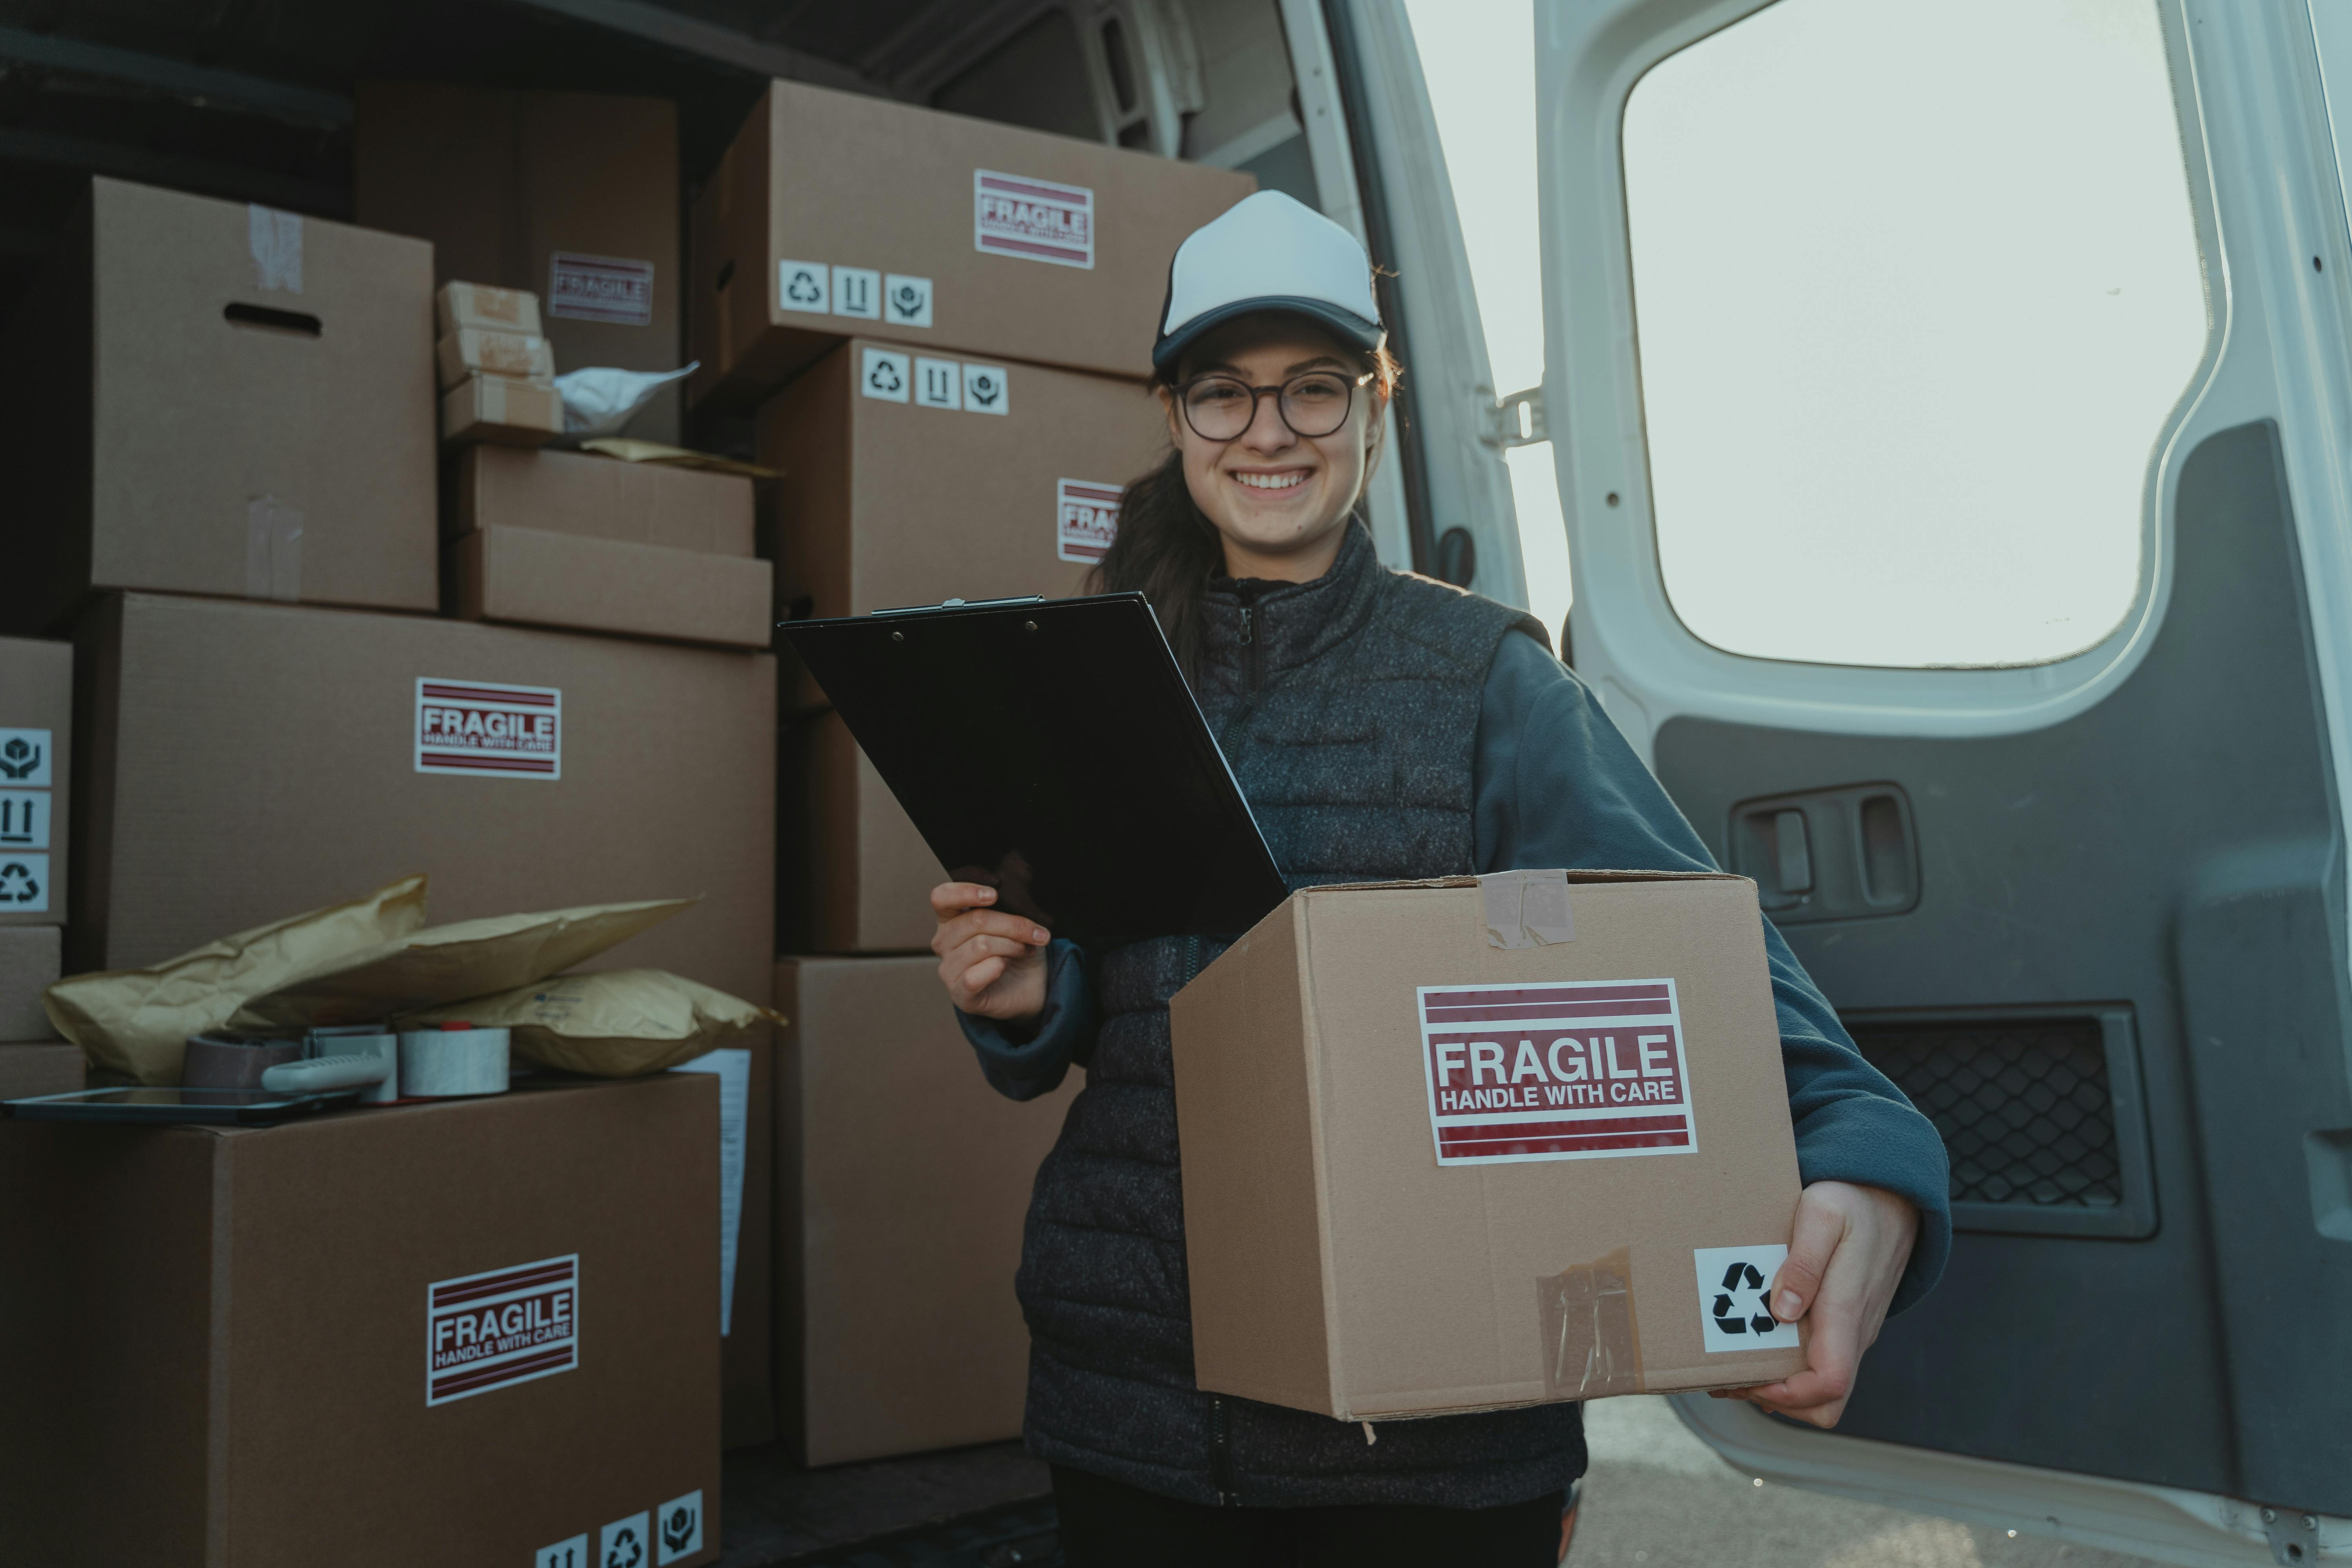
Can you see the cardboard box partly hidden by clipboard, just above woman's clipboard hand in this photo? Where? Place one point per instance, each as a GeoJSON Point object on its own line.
{"type": "Point", "coordinates": [855, 873]}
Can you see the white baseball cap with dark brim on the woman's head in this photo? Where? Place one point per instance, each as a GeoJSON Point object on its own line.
{"type": "Point", "coordinates": [1269, 253]}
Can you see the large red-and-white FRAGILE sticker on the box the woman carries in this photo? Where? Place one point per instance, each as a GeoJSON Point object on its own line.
{"type": "Point", "coordinates": [1556, 1071]}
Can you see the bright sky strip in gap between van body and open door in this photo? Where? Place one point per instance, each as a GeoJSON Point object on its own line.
{"type": "Point", "coordinates": [1481, 67]}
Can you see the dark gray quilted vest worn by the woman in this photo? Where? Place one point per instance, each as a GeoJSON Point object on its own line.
{"type": "Point", "coordinates": [1349, 709]}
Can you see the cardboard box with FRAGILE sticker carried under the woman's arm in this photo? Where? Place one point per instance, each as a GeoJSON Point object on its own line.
{"type": "Point", "coordinates": [1426, 1172]}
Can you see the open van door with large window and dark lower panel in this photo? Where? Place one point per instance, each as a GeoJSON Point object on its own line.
{"type": "Point", "coordinates": [1951, 413]}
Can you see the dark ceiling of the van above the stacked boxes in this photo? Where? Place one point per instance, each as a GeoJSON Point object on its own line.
{"type": "Point", "coordinates": [250, 100]}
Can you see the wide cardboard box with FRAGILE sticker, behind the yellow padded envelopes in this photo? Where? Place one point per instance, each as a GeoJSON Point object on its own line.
{"type": "Point", "coordinates": [258, 760]}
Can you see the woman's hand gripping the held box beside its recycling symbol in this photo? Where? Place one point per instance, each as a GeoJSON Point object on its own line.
{"type": "Point", "coordinates": [1845, 1261]}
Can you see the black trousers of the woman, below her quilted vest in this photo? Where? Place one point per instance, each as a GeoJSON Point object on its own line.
{"type": "Point", "coordinates": [1109, 1525]}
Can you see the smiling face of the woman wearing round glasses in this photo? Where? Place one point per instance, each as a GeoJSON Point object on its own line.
{"type": "Point", "coordinates": [1278, 500]}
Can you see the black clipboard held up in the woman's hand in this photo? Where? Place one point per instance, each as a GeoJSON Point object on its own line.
{"type": "Point", "coordinates": [1050, 749]}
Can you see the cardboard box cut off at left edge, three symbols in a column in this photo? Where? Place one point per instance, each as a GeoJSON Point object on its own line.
{"type": "Point", "coordinates": [36, 782]}
